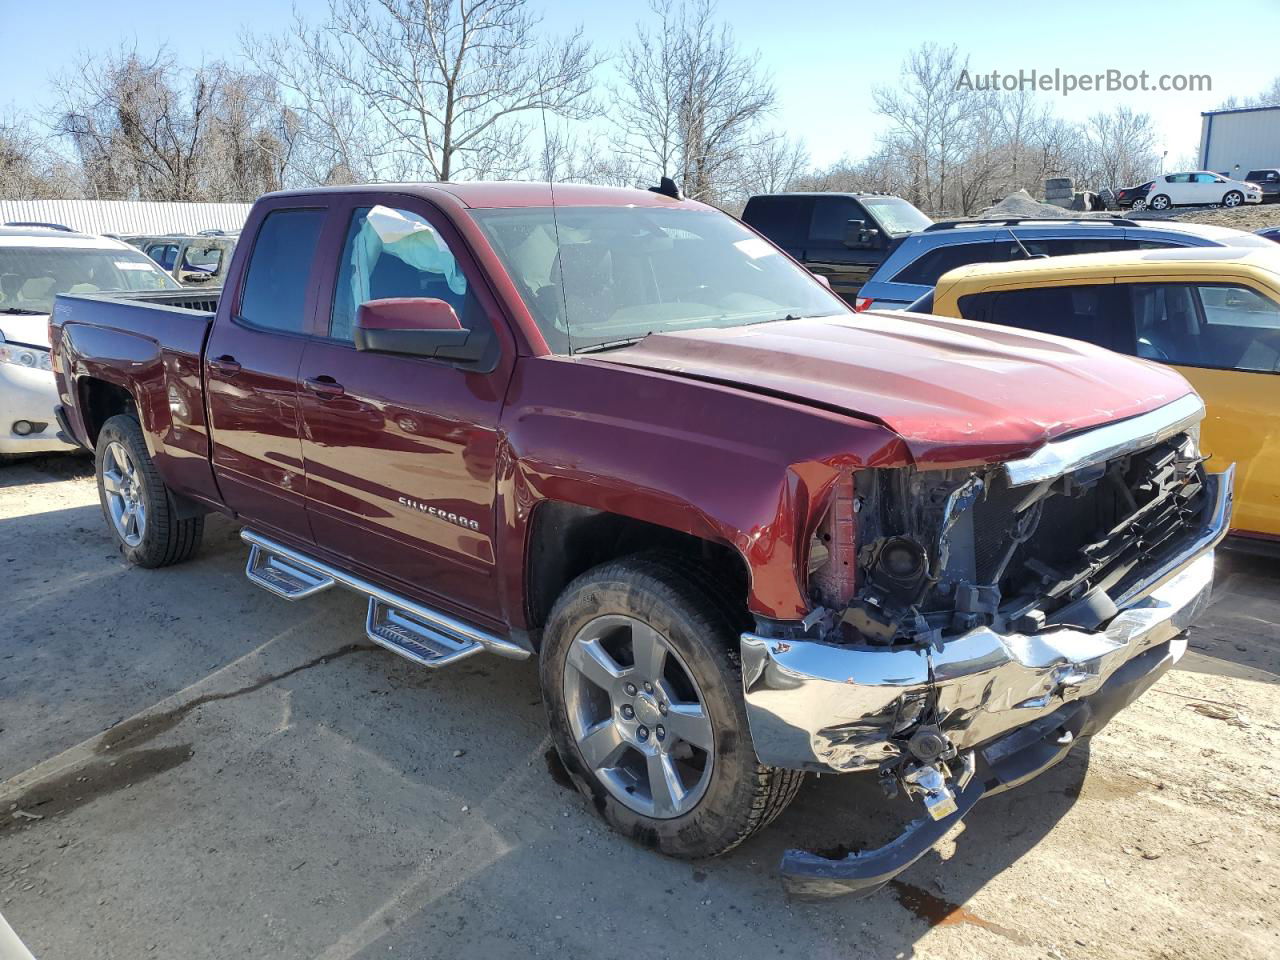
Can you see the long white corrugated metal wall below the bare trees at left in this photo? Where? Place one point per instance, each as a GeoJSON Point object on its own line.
{"type": "Point", "coordinates": [127, 217]}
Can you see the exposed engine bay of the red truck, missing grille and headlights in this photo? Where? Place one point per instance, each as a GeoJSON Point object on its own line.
{"type": "Point", "coordinates": [939, 554]}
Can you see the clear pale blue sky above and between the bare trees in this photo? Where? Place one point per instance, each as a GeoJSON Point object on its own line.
{"type": "Point", "coordinates": [825, 56]}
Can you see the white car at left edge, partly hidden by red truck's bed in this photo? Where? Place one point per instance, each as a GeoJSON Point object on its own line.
{"type": "Point", "coordinates": [36, 264]}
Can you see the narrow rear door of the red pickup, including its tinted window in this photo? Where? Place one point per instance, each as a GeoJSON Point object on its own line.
{"type": "Point", "coordinates": [252, 372]}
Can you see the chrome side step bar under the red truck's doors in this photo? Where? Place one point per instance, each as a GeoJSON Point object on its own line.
{"type": "Point", "coordinates": [418, 633]}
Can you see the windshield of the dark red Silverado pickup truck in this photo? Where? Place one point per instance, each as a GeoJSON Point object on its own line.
{"type": "Point", "coordinates": [618, 275]}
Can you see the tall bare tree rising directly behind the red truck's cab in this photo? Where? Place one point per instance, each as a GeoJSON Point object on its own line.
{"type": "Point", "coordinates": [424, 89]}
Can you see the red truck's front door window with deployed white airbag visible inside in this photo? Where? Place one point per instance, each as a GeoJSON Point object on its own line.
{"type": "Point", "coordinates": [397, 254]}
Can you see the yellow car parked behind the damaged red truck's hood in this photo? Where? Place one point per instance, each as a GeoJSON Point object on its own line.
{"type": "Point", "coordinates": [1210, 313]}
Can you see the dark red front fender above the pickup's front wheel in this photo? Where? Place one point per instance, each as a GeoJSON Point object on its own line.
{"type": "Point", "coordinates": [706, 460]}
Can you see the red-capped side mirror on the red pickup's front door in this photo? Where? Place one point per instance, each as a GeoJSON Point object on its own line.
{"type": "Point", "coordinates": [417, 327]}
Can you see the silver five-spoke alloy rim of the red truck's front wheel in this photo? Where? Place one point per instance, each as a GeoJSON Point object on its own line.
{"type": "Point", "coordinates": [638, 717]}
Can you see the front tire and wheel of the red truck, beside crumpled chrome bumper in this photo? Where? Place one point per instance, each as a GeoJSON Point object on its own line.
{"type": "Point", "coordinates": [729, 794]}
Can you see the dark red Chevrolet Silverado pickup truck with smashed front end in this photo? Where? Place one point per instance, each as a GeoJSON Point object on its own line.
{"type": "Point", "coordinates": [747, 533]}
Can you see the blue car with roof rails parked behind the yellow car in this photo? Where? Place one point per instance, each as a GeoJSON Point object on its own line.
{"type": "Point", "coordinates": [917, 263]}
